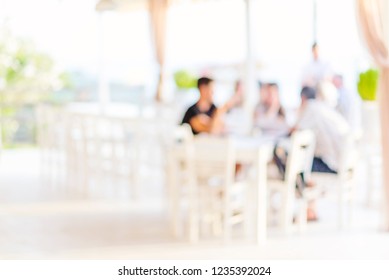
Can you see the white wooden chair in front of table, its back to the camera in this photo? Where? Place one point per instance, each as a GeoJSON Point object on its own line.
{"type": "Point", "coordinates": [220, 198]}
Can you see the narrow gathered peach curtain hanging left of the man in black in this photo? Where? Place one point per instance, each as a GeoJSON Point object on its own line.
{"type": "Point", "coordinates": [158, 16]}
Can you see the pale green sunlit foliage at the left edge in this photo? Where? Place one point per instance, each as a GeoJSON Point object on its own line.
{"type": "Point", "coordinates": [27, 77]}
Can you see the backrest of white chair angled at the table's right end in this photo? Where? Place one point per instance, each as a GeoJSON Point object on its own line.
{"type": "Point", "coordinates": [301, 155]}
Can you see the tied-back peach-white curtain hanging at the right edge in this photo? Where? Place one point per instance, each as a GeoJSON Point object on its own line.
{"type": "Point", "coordinates": [374, 25]}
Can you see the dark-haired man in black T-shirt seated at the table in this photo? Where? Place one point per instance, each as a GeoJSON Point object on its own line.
{"type": "Point", "coordinates": [204, 116]}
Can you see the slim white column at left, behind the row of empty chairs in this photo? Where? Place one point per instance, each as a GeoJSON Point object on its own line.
{"type": "Point", "coordinates": [103, 86]}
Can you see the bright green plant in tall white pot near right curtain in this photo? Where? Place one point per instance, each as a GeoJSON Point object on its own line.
{"type": "Point", "coordinates": [367, 89]}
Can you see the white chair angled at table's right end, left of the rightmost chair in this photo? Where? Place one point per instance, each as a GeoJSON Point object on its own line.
{"type": "Point", "coordinates": [299, 161]}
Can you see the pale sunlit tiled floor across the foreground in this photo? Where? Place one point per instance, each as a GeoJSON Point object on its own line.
{"type": "Point", "coordinates": [42, 220]}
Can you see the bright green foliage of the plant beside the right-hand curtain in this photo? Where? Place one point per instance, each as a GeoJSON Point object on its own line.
{"type": "Point", "coordinates": [367, 84]}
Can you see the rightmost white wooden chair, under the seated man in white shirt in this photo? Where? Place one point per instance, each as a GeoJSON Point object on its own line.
{"type": "Point", "coordinates": [344, 180]}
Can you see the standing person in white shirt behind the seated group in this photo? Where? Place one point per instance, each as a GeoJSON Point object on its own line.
{"type": "Point", "coordinates": [317, 70]}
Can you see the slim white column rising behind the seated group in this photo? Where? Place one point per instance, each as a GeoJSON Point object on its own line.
{"type": "Point", "coordinates": [250, 83]}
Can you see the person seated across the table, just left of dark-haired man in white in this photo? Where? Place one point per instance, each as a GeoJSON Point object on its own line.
{"type": "Point", "coordinates": [269, 115]}
